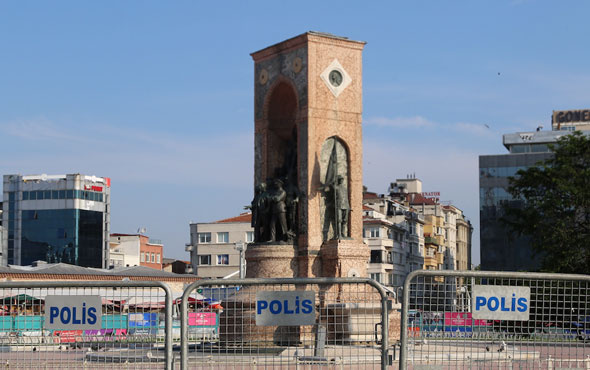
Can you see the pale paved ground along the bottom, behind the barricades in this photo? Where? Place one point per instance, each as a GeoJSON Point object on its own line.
{"type": "Point", "coordinates": [434, 354]}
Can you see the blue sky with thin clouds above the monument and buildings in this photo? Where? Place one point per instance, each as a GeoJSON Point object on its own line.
{"type": "Point", "coordinates": [159, 95]}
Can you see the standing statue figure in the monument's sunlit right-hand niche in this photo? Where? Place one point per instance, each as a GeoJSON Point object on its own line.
{"type": "Point", "coordinates": [338, 207]}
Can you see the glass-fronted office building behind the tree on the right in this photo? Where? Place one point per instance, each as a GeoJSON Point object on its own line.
{"type": "Point", "coordinates": [501, 250]}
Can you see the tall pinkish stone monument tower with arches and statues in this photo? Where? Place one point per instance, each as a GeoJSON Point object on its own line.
{"type": "Point", "coordinates": [307, 208]}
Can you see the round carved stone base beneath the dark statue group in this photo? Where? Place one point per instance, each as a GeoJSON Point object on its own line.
{"type": "Point", "coordinates": [271, 261]}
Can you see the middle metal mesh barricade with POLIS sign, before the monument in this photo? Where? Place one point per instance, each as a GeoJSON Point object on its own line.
{"type": "Point", "coordinates": [286, 323]}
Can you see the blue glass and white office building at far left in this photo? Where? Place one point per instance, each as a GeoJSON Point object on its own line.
{"type": "Point", "coordinates": [56, 218]}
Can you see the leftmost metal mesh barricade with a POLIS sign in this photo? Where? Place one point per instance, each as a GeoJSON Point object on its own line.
{"type": "Point", "coordinates": [81, 324]}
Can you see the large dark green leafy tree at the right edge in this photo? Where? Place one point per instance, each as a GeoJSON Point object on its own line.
{"type": "Point", "coordinates": [553, 209]}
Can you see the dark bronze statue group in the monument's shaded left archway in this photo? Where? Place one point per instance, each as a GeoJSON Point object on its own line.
{"type": "Point", "coordinates": [274, 211]}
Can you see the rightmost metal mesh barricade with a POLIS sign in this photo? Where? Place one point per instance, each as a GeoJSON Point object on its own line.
{"type": "Point", "coordinates": [495, 320]}
